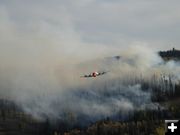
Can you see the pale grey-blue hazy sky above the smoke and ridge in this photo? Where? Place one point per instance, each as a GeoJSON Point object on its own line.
{"type": "Point", "coordinates": [118, 23]}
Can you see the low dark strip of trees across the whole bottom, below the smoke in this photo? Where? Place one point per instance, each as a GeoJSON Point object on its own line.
{"type": "Point", "coordinates": [142, 122]}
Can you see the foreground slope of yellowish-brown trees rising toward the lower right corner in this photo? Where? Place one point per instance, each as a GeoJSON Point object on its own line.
{"type": "Point", "coordinates": [142, 123]}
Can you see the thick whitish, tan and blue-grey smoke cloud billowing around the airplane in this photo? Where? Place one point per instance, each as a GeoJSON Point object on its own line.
{"type": "Point", "coordinates": [40, 71]}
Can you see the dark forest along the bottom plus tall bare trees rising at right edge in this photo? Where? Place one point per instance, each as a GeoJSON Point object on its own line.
{"type": "Point", "coordinates": [14, 121]}
